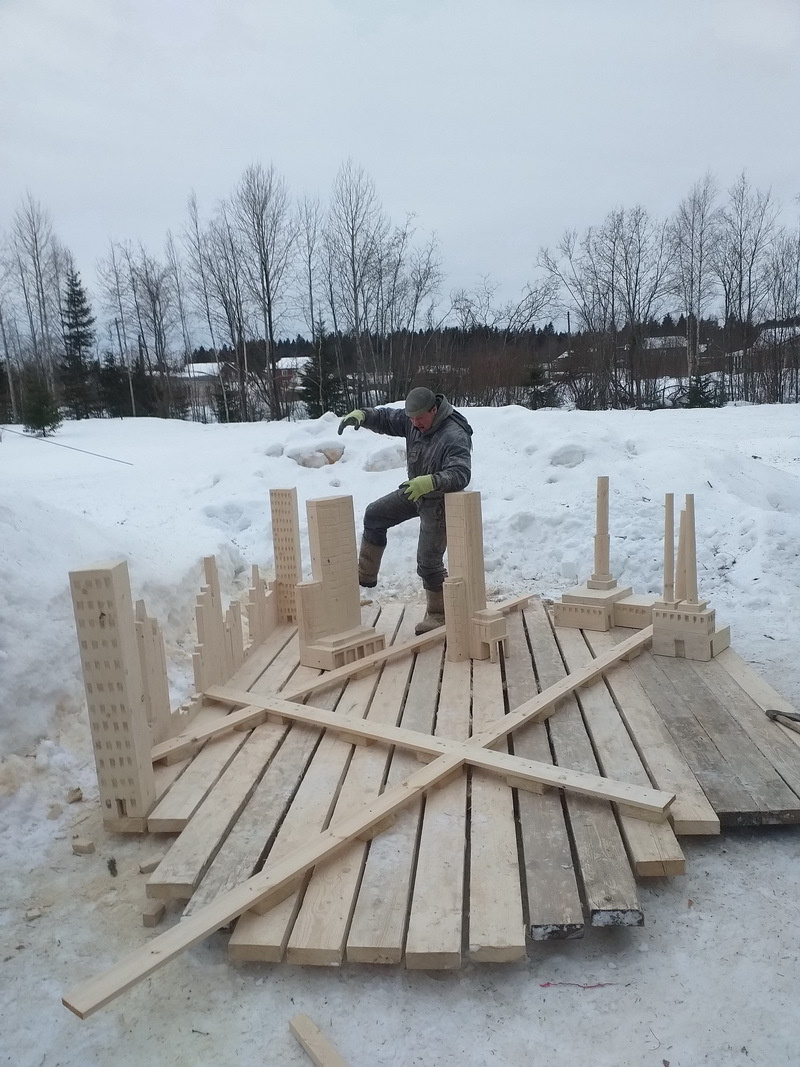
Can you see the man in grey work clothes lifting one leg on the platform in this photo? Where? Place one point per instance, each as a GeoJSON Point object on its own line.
{"type": "Point", "coordinates": [439, 447]}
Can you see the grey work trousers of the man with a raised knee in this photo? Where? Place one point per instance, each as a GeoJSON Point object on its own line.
{"type": "Point", "coordinates": [396, 508]}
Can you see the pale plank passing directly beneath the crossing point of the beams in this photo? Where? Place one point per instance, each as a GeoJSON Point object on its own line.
{"type": "Point", "coordinates": [436, 921]}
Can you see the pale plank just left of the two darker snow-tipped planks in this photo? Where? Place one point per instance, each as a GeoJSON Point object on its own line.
{"type": "Point", "coordinates": [497, 921]}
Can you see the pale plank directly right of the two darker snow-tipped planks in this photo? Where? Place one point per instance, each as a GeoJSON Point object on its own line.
{"type": "Point", "coordinates": [653, 849]}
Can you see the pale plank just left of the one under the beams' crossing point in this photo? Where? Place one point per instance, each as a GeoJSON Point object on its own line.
{"type": "Point", "coordinates": [378, 929]}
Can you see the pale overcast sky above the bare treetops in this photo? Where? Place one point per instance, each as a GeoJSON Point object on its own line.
{"type": "Point", "coordinates": [500, 123]}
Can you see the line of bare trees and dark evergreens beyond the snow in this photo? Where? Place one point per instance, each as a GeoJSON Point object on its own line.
{"type": "Point", "coordinates": [723, 273]}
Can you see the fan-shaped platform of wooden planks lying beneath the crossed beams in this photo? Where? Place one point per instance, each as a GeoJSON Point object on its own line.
{"type": "Point", "coordinates": [479, 868]}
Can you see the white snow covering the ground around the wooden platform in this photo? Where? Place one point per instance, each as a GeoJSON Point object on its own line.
{"type": "Point", "coordinates": [712, 977]}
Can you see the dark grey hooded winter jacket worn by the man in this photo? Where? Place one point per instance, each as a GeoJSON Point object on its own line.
{"type": "Point", "coordinates": [444, 452]}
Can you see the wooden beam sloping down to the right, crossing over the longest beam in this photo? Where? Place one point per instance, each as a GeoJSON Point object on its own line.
{"type": "Point", "coordinates": [648, 804]}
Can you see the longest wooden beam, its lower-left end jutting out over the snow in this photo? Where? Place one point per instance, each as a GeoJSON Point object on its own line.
{"type": "Point", "coordinates": [273, 883]}
